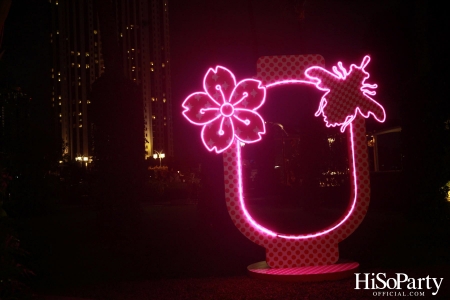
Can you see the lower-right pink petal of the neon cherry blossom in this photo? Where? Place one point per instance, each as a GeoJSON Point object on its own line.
{"type": "Point", "coordinates": [248, 125]}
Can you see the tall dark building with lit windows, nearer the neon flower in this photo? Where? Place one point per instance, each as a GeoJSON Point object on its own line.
{"type": "Point", "coordinates": [143, 28]}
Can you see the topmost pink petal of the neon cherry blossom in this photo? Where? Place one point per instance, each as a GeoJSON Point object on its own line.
{"type": "Point", "coordinates": [219, 83]}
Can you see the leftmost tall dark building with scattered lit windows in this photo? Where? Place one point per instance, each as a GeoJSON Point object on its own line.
{"type": "Point", "coordinates": [76, 64]}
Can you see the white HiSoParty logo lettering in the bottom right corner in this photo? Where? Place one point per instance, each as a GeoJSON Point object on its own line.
{"type": "Point", "coordinates": [379, 281]}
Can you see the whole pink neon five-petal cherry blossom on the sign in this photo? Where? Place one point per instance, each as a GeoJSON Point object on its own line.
{"type": "Point", "coordinates": [226, 109]}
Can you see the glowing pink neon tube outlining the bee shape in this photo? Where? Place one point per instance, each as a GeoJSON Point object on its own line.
{"type": "Point", "coordinates": [342, 75]}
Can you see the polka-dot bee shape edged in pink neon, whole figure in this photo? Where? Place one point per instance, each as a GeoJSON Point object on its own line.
{"type": "Point", "coordinates": [346, 95]}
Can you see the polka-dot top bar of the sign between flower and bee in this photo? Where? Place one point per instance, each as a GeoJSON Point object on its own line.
{"type": "Point", "coordinates": [271, 69]}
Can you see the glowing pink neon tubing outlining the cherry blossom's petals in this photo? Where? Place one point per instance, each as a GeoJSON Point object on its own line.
{"type": "Point", "coordinates": [235, 106]}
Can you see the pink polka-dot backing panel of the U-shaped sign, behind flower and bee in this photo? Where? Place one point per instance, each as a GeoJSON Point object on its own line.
{"type": "Point", "coordinates": [322, 250]}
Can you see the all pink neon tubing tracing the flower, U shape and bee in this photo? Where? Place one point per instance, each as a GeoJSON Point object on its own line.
{"type": "Point", "coordinates": [340, 73]}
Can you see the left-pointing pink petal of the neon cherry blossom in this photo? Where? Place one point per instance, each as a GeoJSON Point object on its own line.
{"type": "Point", "coordinates": [200, 109]}
